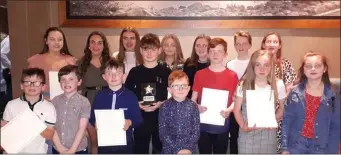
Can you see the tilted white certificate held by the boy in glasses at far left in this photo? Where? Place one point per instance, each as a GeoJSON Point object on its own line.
{"type": "Point", "coordinates": [20, 131]}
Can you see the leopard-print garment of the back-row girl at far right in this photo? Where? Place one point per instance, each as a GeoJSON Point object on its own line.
{"type": "Point", "coordinates": [288, 77]}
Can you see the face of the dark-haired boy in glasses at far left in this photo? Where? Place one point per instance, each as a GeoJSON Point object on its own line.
{"type": "Point", "coordinates": [32, 90]}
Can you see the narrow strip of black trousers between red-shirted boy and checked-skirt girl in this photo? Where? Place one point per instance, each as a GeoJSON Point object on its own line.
{"type": "Point", "coordinates": [234, 133]}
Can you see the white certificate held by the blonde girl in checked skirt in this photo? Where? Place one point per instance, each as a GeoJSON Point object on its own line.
{"type": "Point", "coordinates": [261, 108]}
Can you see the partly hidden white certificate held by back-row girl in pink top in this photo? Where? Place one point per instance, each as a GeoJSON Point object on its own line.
{"type": "Point", "coordinates": [55, 88]}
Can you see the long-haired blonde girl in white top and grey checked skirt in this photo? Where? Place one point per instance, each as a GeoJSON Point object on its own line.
{"type": "Point", "coordinates": [259, 76]}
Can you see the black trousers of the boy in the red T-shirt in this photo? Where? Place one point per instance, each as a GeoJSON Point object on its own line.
{"type": "Point", "coordinates": [213, 143]}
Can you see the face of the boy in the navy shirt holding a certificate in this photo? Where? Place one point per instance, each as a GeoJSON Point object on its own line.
{"type": "Point", "coordinates": [113, 76]}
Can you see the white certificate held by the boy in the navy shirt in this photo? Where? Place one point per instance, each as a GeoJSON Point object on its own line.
{"type": "Point", "coordinates": [109, 124]}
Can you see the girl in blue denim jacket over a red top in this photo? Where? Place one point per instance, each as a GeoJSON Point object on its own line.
{"type": "Point", "coordinates": [311, 121]}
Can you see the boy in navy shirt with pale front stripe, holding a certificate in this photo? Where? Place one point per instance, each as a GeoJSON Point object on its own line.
{"type": "Point", "coordinates": [116, 96]}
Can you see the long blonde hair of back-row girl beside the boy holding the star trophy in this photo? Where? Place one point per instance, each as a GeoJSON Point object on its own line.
{"type": "Point", "coordinates": [179, 57]}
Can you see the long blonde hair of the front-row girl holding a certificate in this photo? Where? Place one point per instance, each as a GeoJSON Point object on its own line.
{"type": "Point", "coordinates": [248, 80]}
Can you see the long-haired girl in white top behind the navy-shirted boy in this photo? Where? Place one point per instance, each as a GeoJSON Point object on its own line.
{"type": "Point", "coordinates": [129, 50]}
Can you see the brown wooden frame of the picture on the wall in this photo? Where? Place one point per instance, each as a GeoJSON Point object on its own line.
{"type": "Point", "coordinates": [230, 23]}
